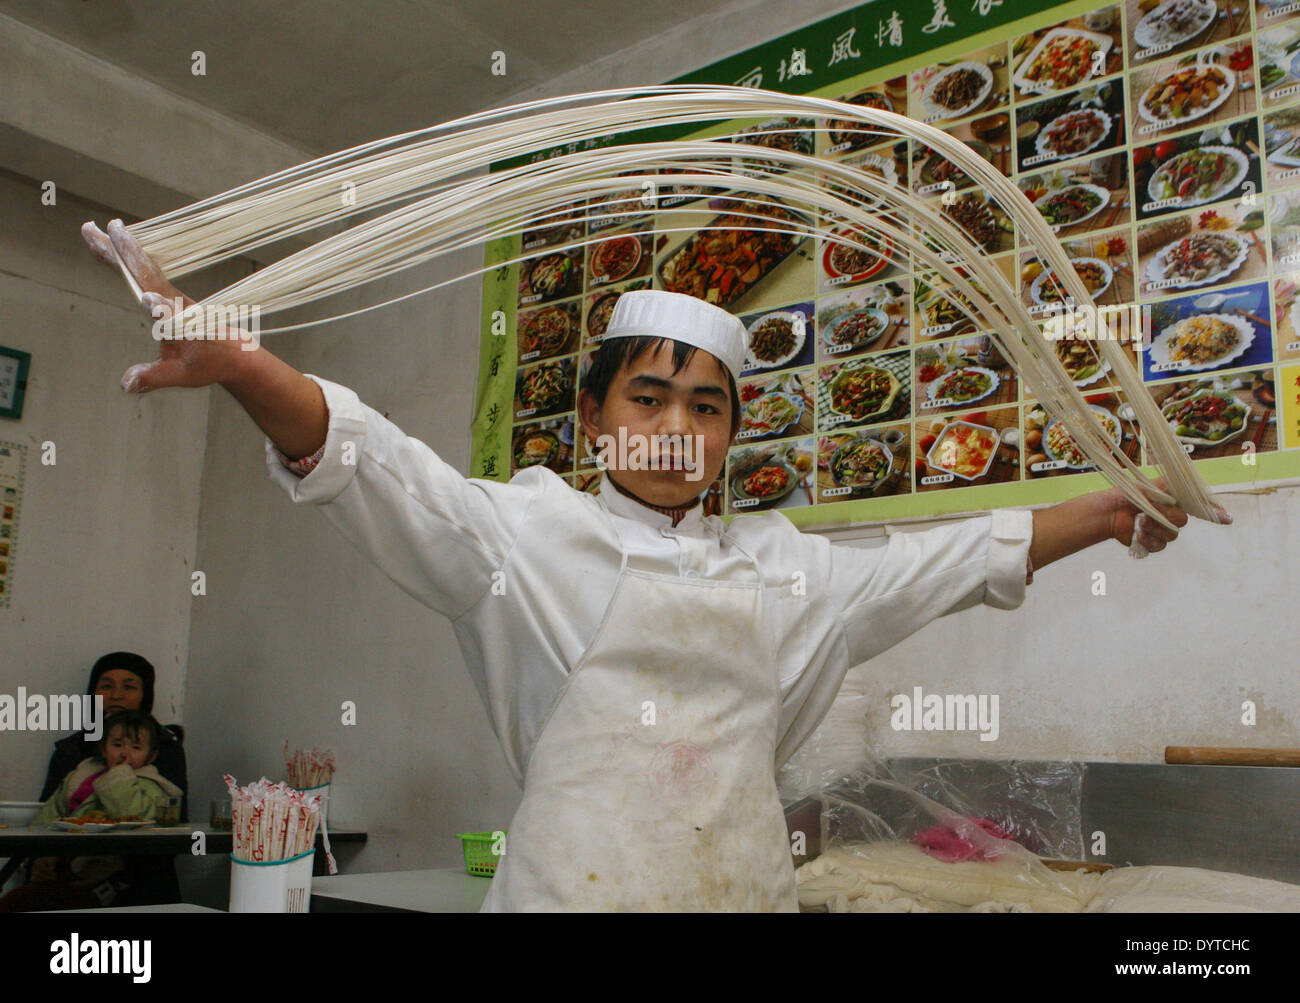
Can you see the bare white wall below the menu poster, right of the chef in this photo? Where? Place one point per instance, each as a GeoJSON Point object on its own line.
{"type": "Point", "coordinates": [1167, 657]}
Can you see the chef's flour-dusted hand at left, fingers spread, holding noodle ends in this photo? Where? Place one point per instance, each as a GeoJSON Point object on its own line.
{"type": "Point", "coordinates": [196, 363]}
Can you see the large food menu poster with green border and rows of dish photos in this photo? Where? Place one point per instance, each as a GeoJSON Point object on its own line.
{"type": "Point", "coordinates": [1159, 138]}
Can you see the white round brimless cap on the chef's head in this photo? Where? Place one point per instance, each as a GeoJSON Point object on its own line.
{"type": "Point", "coordinates": [683, 319]}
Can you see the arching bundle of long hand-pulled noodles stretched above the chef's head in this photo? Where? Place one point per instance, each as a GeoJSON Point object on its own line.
{"type": "Point", "coordinates": [426, 196]}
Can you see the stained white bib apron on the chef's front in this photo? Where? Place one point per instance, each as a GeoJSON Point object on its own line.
{"type": "Point", "coordinates": [653, 785]}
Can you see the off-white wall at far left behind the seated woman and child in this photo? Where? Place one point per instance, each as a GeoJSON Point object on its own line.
{"type": "Point", "coordinates": [107, 533]}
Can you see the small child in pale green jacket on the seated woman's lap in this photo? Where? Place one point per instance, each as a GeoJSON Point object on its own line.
{"type": "Point", "coordinates": [120, 780]}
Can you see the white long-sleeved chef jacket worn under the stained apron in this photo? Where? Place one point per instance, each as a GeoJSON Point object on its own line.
{"type": "Point", "coordinates": [527, 570]}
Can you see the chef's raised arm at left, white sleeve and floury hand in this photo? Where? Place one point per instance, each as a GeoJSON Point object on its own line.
{"type": "Point", "coordinates": [439, 536]}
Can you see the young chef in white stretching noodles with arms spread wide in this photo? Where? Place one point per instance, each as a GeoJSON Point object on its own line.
{"type": "Point", "coordinates": [645, 668]}
